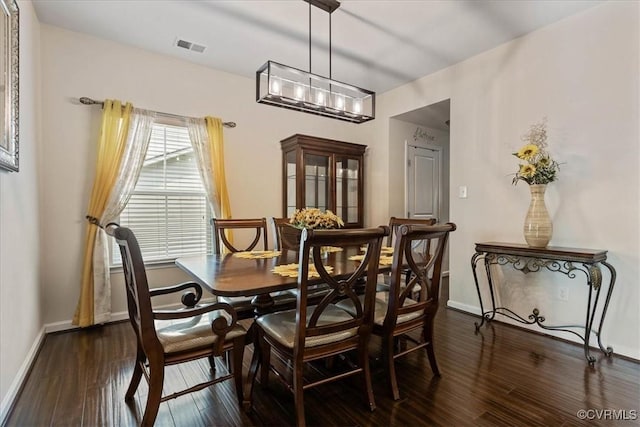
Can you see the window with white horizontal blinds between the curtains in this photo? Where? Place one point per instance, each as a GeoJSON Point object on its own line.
{"type": "Point", "coordinates": [168, 210]}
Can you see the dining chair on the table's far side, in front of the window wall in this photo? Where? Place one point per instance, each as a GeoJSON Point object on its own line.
{"type": "Point", "coordinates": [257, 228]}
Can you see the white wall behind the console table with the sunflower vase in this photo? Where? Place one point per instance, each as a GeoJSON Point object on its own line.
{"type": "Point", "coordinates": [582, 74]}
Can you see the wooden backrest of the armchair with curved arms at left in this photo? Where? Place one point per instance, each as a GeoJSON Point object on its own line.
{"type": "Point", "coordinates": [137, 287]}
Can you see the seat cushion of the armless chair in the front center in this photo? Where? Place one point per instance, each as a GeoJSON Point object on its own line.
{"type": "Point", "coordinates": [282, 326]}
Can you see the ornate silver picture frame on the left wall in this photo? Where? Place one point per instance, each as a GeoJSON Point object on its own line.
{"type": "Point", "coordinates": [9, 85]}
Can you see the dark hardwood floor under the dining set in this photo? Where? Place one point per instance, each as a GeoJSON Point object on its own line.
{"type": "Point", "coordinates": [502, 376]}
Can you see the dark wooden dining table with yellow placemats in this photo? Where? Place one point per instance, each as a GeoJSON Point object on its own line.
{"type": "Point", "coordinates": [251, 274]}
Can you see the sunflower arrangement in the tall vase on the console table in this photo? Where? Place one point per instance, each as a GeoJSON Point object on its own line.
{"type": "Point", "coordinates": [538, 166]}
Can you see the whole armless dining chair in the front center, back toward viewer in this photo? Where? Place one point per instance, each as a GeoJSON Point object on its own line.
{"type": "Point", "coordinates": [312, 332]}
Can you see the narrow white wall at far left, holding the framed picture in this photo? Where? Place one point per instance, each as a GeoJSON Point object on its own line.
{"type": "Point", "coordinates": [20, 300]}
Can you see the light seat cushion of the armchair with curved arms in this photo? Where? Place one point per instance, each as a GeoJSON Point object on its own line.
{"type": "Point", "coordinates": [192, 333]}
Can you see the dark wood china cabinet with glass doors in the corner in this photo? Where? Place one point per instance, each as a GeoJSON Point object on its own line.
{"type": "Point", "coordinates": [325, 174]}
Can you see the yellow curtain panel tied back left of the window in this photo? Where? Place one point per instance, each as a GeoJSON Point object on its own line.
{"type": "Point", "coordinates": [113, 136]}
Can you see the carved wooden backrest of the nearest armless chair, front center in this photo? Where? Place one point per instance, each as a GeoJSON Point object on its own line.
{"type": "Point", "coordinates": [311, 243]}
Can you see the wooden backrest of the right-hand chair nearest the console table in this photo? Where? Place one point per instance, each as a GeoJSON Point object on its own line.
{"type": "Point", "coordinates": [418, 249]}
